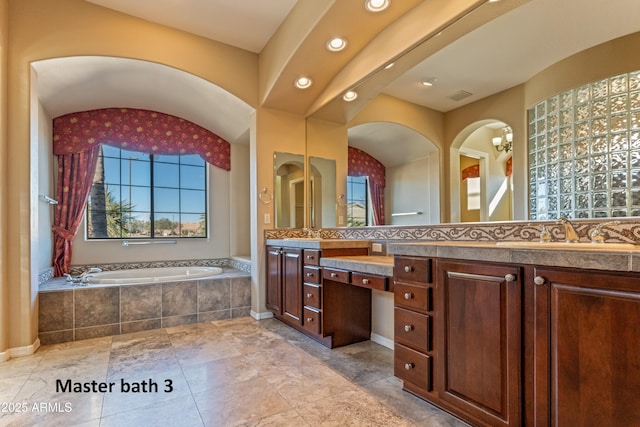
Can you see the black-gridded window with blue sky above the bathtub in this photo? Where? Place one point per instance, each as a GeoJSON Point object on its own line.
{"type": "Point", "coordinates": [138, 195]}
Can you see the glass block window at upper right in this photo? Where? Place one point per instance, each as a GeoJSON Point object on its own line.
{"type": "Point", "coordinates": [584, 151]}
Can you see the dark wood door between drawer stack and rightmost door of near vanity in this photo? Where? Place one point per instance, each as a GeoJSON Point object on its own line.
{"type": "Point", "coordinates": [479, 340]}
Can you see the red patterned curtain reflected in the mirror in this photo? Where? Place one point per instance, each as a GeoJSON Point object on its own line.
{"type": "Point", "coordinates": [362, 164]}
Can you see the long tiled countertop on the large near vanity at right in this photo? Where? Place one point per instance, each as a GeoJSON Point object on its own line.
{"type": "Point", "coordinates": [607, 256]}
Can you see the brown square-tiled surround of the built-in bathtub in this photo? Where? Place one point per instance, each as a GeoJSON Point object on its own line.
{"type": "Point", "coordinates": [70, 313]}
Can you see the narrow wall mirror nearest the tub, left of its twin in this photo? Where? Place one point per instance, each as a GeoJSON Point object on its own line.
{"type": "Point", "coordinates": [288, 172]}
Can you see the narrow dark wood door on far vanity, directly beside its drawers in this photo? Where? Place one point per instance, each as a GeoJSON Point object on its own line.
{"type": "Point", "coordinates": [292, 284]}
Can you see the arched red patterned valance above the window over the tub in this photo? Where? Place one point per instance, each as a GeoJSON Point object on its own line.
{"type": "Point", "coordinates": [138, 130]}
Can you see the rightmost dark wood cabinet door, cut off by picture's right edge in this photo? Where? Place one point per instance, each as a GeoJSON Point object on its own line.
{"type": "Point", "coordinates": [587, 350]}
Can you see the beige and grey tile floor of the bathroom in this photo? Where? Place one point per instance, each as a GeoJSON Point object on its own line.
{"type": "Point", "coordinates": [236, 372]}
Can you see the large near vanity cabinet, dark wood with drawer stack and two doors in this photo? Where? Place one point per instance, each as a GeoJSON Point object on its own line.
{"type": "Point", "coordinates": [500, 344]}
